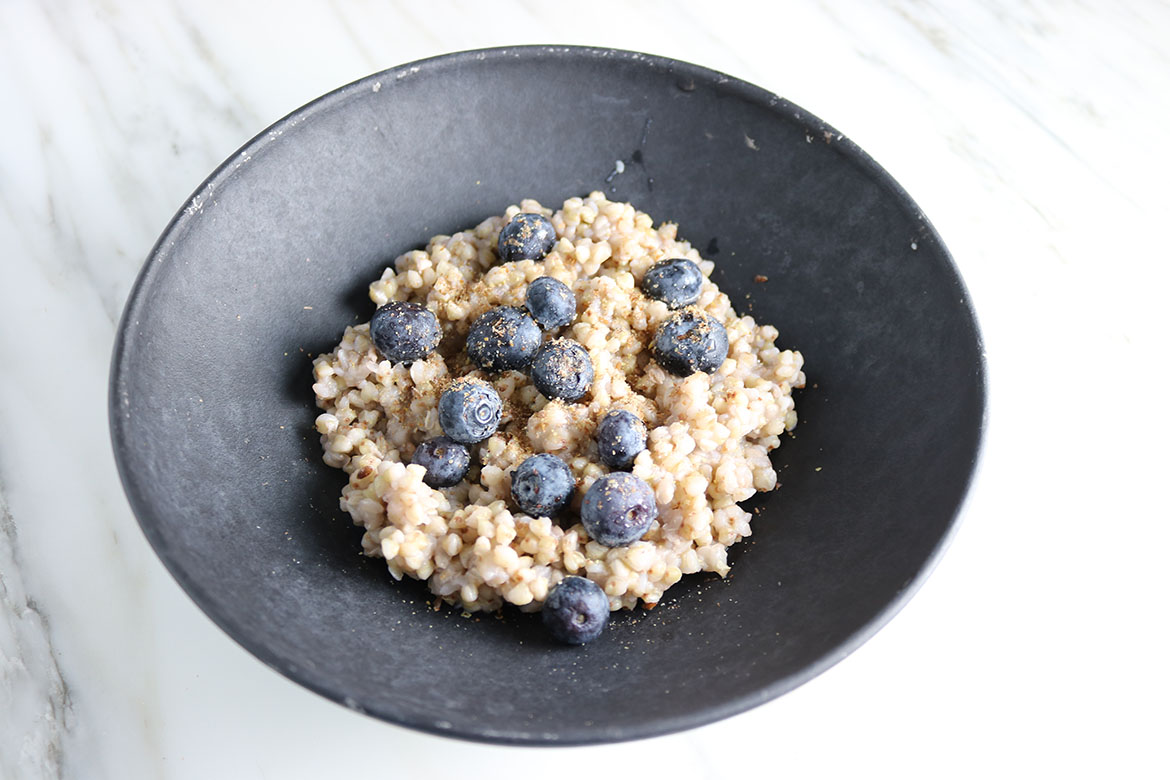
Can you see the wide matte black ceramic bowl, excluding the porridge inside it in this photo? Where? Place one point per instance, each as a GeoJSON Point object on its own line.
{"type": "Point", "coordinates": [212, 411]}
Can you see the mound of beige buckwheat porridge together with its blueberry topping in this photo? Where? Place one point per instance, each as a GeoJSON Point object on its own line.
{"type": "Point", "coordinates": [527, 369]}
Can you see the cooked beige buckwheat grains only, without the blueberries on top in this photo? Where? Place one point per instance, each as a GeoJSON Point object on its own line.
{"type": "Point", "coordinates": [710, 434]}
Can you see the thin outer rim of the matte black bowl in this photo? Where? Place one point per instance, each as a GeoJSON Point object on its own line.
{"type": "Point", "coordinates": [126, 343]}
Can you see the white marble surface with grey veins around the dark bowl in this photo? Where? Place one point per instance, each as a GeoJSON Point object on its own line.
{"type": "Point", "coordinates": [1034, 135]}
